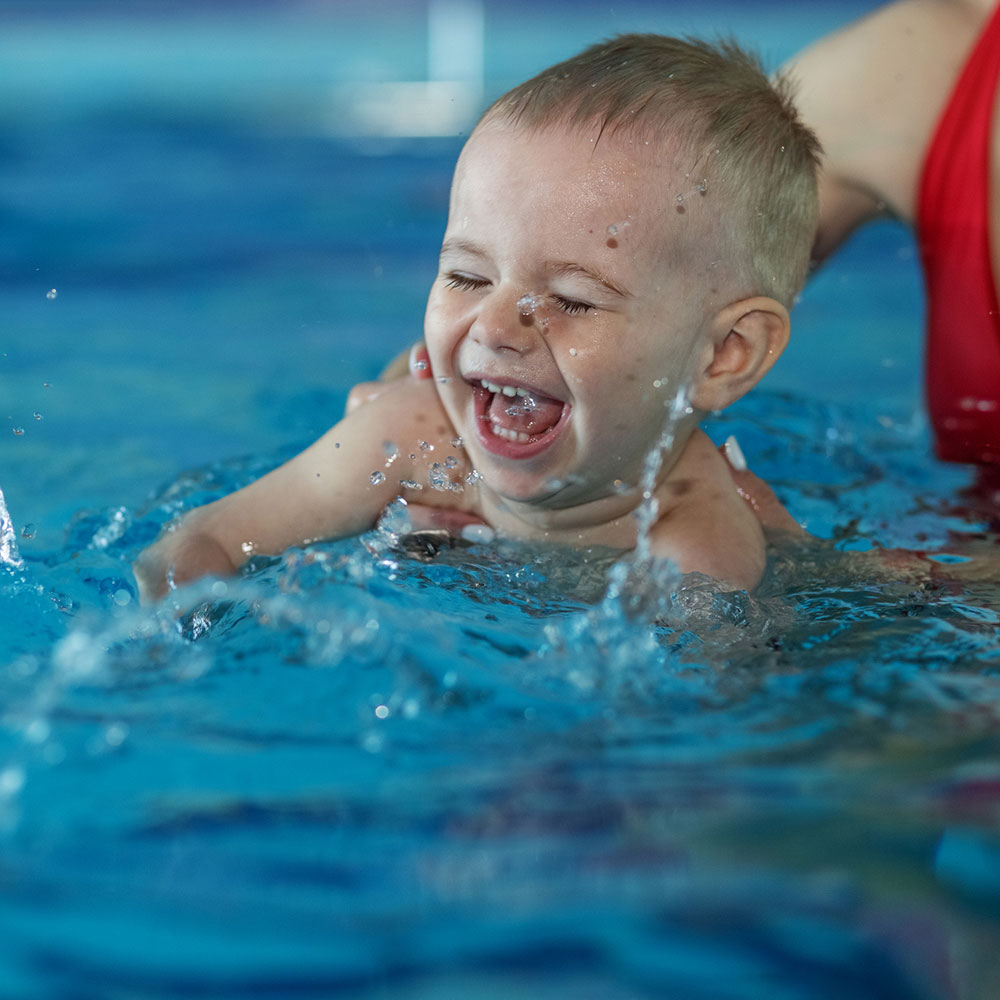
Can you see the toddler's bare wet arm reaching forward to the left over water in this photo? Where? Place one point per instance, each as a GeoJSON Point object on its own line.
{"type": "Point", "coordinates": [335, 488]}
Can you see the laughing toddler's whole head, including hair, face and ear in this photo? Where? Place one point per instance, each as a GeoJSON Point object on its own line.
{"type": "Point", "coordinates": [611, 235]}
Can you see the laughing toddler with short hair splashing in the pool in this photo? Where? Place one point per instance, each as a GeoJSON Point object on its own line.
{"type": "Point", "coordinates": [626, 234]}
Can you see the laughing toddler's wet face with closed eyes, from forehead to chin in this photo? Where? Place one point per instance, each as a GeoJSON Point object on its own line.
{"type": "Point", "coordinates": [567, 306]}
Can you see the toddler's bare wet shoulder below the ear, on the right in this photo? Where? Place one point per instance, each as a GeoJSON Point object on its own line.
{"type": "Point", "coordinates": [705, 526]}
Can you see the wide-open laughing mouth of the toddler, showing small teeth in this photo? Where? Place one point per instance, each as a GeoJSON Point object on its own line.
{"type": "Point", "coordinates": [516, 421]}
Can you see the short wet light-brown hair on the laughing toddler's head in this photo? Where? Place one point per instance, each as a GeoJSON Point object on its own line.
{"type": "Point", "coordinates": [736, 130]}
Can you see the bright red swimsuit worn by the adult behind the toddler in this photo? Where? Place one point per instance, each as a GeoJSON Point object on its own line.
{"type": "Point", "coordinates": [953, 222]}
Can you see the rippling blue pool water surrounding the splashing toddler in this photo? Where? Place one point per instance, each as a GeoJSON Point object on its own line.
{"type": "Point", "coordinates": [356, 773]}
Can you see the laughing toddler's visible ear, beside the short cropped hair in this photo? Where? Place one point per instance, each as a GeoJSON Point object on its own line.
{"type": "Point", "coordinates": [746, 339]}
